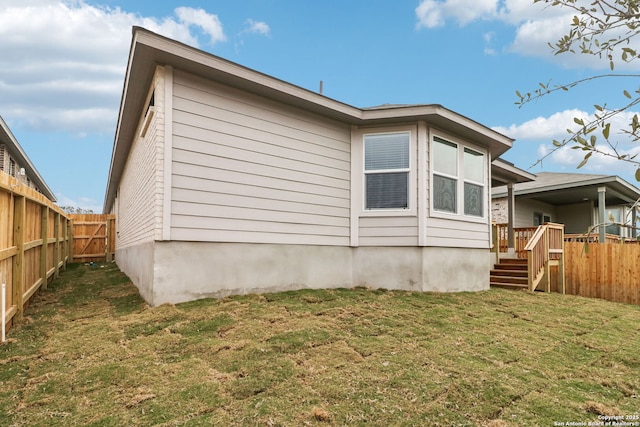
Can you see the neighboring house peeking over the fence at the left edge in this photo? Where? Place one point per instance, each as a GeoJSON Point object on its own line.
{"type": "Point", "coordinates": [14, 161]}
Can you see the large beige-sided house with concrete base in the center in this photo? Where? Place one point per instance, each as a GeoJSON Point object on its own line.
{"type": "Point", "coordinates": [225, 180]}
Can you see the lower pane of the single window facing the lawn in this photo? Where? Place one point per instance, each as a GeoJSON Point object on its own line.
{"type": "Point", "coordinates": [387, 190]}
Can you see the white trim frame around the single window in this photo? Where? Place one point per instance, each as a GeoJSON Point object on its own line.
{"type": "Point", "coordinates": [412, 210]}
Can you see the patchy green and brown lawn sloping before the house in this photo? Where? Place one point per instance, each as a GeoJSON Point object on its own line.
{"type": "Point", "coordinates": [91, 353]}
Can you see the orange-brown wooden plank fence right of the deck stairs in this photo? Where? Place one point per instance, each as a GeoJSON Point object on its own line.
{"type": "Point", "coordinates": [607, 271]}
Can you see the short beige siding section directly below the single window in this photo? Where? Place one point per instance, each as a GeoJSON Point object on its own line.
{"type": "Point", "coordinates": [389, 231]}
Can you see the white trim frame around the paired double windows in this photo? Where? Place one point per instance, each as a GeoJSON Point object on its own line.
{"type": "Point", "coordinates": [460, 180]}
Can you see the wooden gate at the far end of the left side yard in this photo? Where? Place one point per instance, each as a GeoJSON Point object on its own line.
{"type": "Point", "coordinates": [93, 237]}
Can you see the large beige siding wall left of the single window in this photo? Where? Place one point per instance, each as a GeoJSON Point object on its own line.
{"type": "Point", "coordinates": [246, 169]}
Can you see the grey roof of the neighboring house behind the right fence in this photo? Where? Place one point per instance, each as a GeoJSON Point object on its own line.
{"type": "Point", "coordinates": [566, 188]}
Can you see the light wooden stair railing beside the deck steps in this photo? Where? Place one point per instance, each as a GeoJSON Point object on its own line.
{"type": "Point", "coordinates": [544, 249]}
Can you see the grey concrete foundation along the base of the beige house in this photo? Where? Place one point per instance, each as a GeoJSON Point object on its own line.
{"type": "Point", "coordinates": [183, 271]}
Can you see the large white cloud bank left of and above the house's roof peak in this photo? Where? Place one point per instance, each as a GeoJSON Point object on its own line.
{"type": "Point", "coordinates": [63, 62]}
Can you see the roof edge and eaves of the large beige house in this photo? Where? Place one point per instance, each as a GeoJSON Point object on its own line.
{"type": "Point", "coordinates": [149, 49]}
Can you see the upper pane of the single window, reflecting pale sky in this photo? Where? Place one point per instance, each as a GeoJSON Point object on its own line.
{"type": "Point", "coordinates": [386, 151]}
